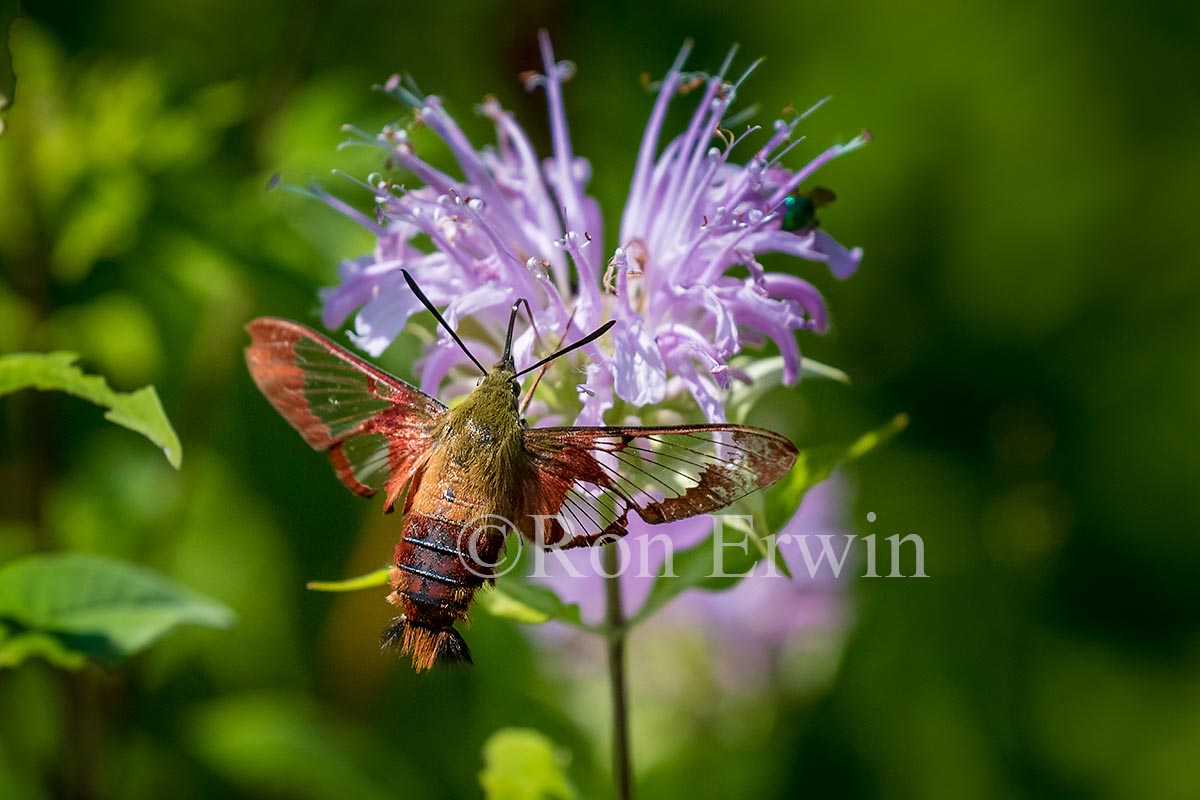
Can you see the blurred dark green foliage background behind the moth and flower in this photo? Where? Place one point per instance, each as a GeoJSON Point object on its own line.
{"type": "Point", "coordinates": [1029, 296]}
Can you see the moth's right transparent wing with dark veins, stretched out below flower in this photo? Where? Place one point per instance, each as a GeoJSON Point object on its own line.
{"type": "Point", "coordinates": [585, 482]}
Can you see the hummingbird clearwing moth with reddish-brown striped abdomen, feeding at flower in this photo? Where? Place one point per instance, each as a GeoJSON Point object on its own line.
{"type": "Point", "coordinates": [467, 467]}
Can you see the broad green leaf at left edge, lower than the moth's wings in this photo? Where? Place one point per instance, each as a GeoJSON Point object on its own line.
{"type": "Point", "coordinates": [95, 607]}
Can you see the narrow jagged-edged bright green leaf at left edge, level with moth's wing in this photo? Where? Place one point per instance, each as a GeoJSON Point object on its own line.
{"type": "Point", "coordinates": [139, 411]}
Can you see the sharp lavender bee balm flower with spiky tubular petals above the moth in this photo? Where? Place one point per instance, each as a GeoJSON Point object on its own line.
{"type": "Point", "coordinates": [511, 226]}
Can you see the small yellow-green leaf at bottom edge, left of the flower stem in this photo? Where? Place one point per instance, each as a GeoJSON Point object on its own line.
{"type": "Point", "coordinates": [523, 765]}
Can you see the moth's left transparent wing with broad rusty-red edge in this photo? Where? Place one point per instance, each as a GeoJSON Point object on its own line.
{"type": "Point", "coordinates": [376, 429]}
